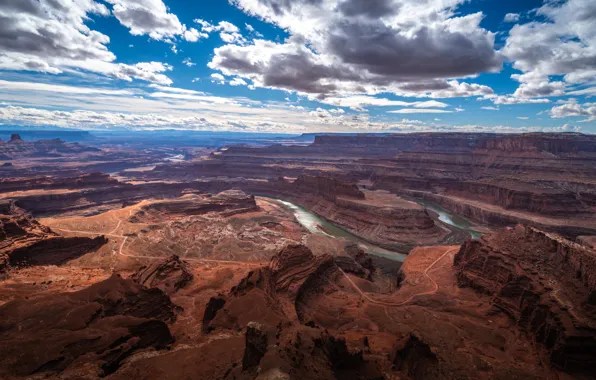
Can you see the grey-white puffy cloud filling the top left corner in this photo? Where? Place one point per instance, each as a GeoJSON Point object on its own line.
{"type": "Point", "coordinates": [52, 36]}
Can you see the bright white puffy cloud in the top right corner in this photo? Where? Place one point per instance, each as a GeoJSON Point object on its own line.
{"type": "Point", "coordinates": [562, 42]}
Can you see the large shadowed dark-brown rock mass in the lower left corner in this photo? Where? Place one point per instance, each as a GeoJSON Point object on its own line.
{"type": "Point", "coordinates": [100, 325]}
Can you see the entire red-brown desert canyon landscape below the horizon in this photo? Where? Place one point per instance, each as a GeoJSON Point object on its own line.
{"type": "Point", "coordinates": [122, 263]}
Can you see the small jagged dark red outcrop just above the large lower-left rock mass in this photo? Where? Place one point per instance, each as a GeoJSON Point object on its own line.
{"type": "Point", "coordinates": [169, 275]}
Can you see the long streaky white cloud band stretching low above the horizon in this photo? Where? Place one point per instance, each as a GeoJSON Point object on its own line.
{"type": "Point", "coordinates": [164, 107]}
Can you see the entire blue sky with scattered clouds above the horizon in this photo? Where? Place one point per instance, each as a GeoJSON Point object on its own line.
{"type": "Point", "coordinates": [300, 66]}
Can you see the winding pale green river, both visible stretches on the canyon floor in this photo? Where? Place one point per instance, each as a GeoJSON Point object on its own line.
{"type": "Point", "coordinates": [321, 226]}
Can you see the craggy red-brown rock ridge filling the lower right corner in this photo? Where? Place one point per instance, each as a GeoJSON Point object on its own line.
{"type": "Point", "coordinates": [545, 283]}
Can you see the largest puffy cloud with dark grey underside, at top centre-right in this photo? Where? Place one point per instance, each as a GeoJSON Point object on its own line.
{"type": "Point", "coordinates": [352, 47]}
